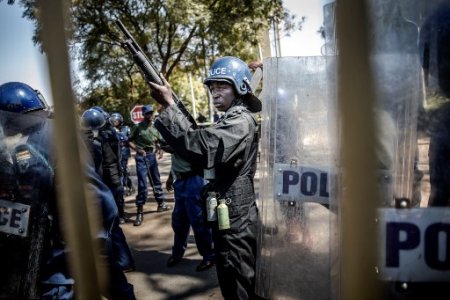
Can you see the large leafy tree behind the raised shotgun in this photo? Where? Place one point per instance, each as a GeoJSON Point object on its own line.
{"type": "Point", "coordinates": [179, 36]}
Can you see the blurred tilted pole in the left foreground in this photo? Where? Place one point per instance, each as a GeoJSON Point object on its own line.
{"type": "Point", "coordinates": [72, 197]}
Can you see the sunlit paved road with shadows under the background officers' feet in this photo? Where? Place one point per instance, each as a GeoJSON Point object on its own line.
{"type": "Point", "coordinates": [151, 246]}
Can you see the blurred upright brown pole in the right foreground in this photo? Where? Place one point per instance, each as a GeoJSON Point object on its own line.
{"type": "Point", "coordinates": [359, 193]}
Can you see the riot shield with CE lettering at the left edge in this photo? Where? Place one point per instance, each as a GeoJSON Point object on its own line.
{"type": "Point", "coordinates": [26, 191]}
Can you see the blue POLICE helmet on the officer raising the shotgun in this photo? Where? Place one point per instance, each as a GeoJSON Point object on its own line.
{"type": "Point", "coordinates": [232, 70]}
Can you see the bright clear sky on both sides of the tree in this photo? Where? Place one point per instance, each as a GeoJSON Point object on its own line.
{"type": "Point", "coordinates": [21, 61]}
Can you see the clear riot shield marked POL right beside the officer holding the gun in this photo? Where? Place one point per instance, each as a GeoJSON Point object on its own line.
{"type": "Point", "coordinates": [296, 187]}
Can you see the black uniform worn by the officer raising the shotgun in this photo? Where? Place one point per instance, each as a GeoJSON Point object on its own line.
{"type": "Point", "coordinates": [231, 147]}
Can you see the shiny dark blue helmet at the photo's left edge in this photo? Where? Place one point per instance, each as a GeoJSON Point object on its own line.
{"type": "Point", "coordinates": [19, 97]}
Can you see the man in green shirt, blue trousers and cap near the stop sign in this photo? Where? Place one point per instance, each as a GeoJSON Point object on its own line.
{"type": "Point", "coordinates": [145, 139]}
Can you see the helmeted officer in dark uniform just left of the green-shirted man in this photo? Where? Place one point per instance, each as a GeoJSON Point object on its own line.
{"type": "Point", "coordinates": [123, 132]}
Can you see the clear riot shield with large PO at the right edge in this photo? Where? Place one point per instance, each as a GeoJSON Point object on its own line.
{"type": "Point", "coordinates": [413, 247]}
